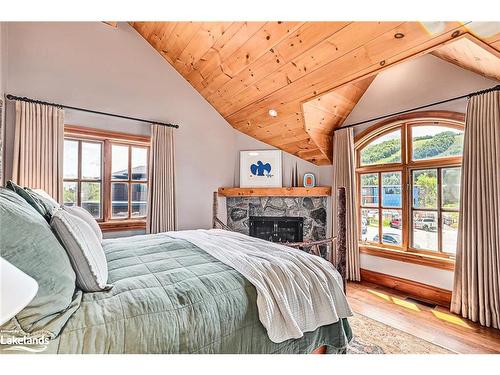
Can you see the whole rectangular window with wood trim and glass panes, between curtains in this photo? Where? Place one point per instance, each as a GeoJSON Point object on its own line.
{"type": "Point", "coordinates": [107, 174]}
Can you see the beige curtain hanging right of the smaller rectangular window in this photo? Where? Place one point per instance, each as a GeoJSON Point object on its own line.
{"type": "Point", "coordinates": [161, 191]}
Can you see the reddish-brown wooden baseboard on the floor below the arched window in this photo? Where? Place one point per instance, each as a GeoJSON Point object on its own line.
{"type": "Point", "coordinates": [424, 292]}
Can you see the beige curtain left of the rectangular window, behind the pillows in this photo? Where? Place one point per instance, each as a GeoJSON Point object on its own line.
{"type": "Point", "coordinates": [38, 148]}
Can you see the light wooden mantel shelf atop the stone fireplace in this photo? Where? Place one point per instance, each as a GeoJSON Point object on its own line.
{"type": "Point", "coordinates": [318, 191]}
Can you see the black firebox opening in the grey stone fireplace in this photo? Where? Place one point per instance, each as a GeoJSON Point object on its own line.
{"type": "Point", "coordinates": [277, 228]}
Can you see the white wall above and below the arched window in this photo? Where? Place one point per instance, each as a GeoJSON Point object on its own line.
{"type": "Point", "coordinates": [417, 82]}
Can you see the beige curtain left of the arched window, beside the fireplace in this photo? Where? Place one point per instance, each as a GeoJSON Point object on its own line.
{"type": "Point", "coordinates": [344, 175]}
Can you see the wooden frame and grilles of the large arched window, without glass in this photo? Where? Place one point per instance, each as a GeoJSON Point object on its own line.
{"type": "Point", "coordinates": [406, 123]}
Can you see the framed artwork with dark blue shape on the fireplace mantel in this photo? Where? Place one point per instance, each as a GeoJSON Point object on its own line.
{"type": "Point", "coordinates": [260, 168]}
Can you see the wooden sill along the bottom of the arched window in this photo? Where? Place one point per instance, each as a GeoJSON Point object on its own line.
{"type": "Point", "coordinates": [409, 257]}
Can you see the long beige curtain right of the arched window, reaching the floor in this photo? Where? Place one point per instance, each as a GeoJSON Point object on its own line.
{"type": "Point", "coordinates": [476, 292]}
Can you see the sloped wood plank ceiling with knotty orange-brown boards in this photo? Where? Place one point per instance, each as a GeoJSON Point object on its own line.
{"type": "Point", "coordinates": [311, 73]}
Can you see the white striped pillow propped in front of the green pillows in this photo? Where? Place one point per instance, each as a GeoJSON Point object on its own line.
{"type": "Point", "coordinates": [84, 250]}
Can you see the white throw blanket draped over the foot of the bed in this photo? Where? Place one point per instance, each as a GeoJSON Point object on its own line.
{"type": "Point", "coordinates": [296, 292]}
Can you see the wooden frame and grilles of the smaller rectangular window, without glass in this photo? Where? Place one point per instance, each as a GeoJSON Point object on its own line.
{"type": "Point", "coordinates": [108, 138]}
